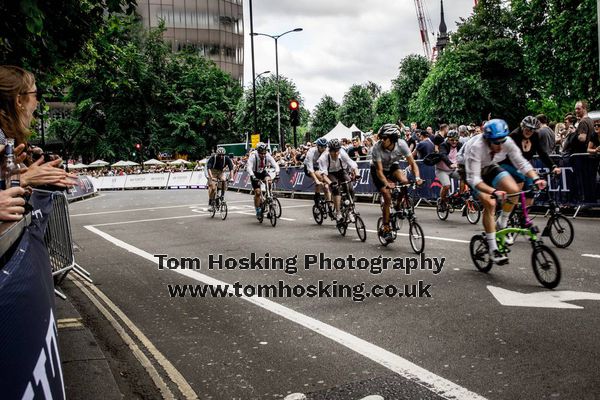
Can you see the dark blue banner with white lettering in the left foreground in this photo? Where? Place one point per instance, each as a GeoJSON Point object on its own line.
{"type": "Point", "coordinates": [29, 357]}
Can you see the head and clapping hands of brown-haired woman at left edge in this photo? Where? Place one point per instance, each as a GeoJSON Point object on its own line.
{"type": "Point", "coordinates": [18, 100]}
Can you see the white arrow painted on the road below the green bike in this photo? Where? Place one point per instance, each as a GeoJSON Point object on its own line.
{"type": "Point", "coordinates": [545, 299]}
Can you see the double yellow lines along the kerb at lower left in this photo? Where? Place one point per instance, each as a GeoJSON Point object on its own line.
{"type": "Point", "coordinates": [175, 376]}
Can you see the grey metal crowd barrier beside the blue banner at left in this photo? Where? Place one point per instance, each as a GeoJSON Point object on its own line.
{"type": "Point", "coordinates": [59, 243]}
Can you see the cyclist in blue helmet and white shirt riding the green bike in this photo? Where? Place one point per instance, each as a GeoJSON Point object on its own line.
{"type": "Point", "coordinates": [489, 180]}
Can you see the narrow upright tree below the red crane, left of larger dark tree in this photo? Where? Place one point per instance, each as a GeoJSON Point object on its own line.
{"type": "Point", "coordinates": [412, 72]}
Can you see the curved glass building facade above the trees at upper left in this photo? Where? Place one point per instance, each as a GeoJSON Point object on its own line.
{"type": "Point", "coordinates": [214, 27]}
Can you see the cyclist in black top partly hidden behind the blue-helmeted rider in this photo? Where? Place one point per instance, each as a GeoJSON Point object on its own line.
{"type": "Point", "coordinates": [528, 141]}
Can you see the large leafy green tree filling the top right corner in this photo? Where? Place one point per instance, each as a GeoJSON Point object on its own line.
{"type": "Point", "coordinates": [560, 76]}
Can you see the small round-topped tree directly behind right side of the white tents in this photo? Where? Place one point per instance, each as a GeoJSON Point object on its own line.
{"type": "Point", "coordinates": [357, 107]}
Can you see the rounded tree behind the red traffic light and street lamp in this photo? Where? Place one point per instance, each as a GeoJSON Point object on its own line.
{"type": "Point", "coordinates": [266, 107]}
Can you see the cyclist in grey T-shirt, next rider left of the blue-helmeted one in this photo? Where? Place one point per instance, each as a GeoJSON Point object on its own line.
{"type": "Point", "coordinates": [385, 168]}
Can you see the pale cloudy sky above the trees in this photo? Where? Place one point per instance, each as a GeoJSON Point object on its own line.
{"type": "Point", "coordinates": [343, 42]}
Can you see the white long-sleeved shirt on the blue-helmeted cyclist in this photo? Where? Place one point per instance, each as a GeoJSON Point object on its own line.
{"type": "Point", "coordinates": [479, 156]}
